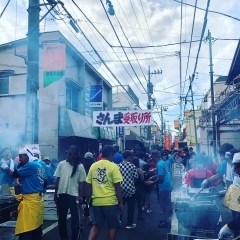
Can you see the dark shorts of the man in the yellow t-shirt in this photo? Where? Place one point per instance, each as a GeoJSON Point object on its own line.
{"type": "Point", "coordinates": [109, 213]}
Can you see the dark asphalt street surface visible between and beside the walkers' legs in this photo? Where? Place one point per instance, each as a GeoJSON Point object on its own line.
{"type": "Point", "coordinates": [145, 230]}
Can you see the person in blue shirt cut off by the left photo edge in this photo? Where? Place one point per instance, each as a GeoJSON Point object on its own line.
{"type": "Point", "coordinates": [7, 162]}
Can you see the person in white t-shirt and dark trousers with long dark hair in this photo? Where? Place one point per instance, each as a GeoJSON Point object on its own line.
{"type": "Point", "coordinates": [70, 175]}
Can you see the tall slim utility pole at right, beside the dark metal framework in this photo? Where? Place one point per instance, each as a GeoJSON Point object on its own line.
{"type": "Point", "coordinates": [209, 38]}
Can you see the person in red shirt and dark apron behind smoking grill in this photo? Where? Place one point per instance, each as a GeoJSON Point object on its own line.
{"type": "Point", "coordinates": [196, 176]}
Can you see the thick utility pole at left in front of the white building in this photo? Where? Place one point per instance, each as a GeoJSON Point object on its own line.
{"type": "Point", "coordinates": [32, 83]}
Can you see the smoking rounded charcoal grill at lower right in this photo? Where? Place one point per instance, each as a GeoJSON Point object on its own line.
{"type": "Point", "coordinates": [197, 214]}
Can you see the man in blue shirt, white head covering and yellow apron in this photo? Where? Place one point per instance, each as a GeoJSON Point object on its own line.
{"type": "Point", "coordinates": [30, 209]}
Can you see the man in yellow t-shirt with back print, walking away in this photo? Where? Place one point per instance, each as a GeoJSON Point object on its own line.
{"type": "Point", "coordinates": [103, 186]}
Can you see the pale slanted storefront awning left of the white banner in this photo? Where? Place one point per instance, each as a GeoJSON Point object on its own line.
{"type": "Point", "coordinates": [75, 124]}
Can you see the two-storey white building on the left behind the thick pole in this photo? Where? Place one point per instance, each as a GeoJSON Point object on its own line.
{"type": "Point", "coordinates": [64, 112]}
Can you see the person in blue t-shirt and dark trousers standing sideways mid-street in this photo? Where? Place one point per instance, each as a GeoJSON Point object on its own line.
{"type": "Point", "coordinates": [165, 188]}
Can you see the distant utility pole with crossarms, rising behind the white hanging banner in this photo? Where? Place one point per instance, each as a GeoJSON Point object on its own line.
{"type": "Point", "coordinates": [151, 101]}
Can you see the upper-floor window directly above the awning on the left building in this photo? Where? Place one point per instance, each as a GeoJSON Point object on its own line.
{"type": "Point", "coordinates": [72, 96]}
